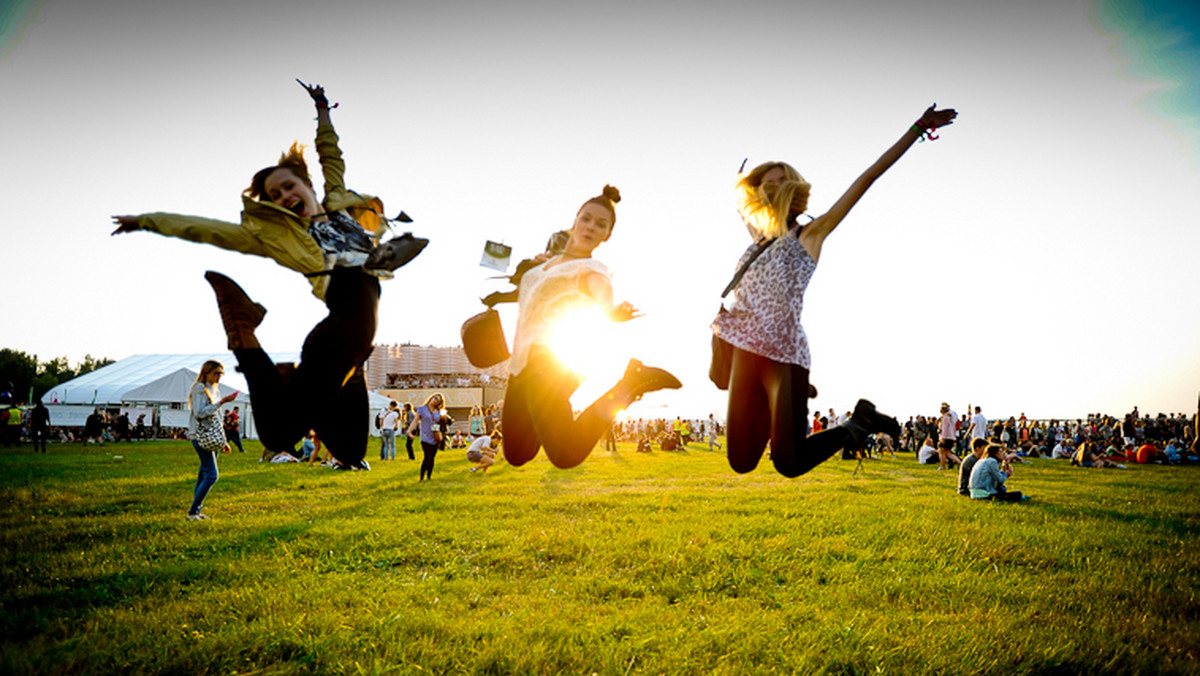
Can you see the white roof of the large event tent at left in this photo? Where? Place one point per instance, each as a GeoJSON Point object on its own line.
{"type": "Point", "coordinates": [110, 385]}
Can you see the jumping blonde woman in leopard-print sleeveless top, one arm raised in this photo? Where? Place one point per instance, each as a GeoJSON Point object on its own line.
{"type": "Point", "coordinates": [770, 375]}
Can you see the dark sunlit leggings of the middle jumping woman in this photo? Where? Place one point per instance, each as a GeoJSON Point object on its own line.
{"type": "Point", "coordinates": [538, 415]}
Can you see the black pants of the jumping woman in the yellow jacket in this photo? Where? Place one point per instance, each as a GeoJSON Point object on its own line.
{"type": "Point", "coordinates": [327, 392]}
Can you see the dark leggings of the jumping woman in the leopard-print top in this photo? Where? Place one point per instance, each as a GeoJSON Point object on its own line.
{"type": "Point", "coordinates": [770, 400]}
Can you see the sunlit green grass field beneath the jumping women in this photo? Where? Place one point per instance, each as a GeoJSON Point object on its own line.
{"type": "Point", "coordinates": [632, 564]}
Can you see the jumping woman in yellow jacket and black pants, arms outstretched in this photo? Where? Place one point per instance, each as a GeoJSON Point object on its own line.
{"type": "Point", "coordinates": [333, 243]}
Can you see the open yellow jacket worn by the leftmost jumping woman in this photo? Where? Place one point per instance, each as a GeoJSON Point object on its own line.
{"type": "Point", "coordinates": [272, 231]}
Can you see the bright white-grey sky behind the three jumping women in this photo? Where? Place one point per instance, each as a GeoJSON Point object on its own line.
{"type": "Point", "coordinates": [1040, 259]}
